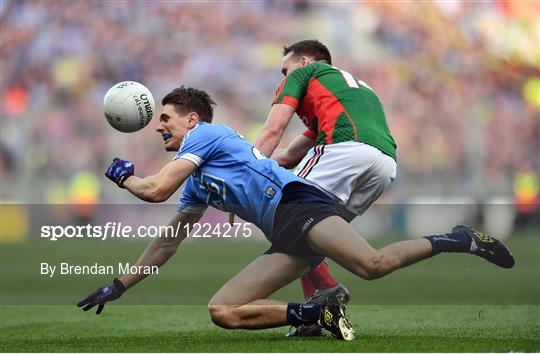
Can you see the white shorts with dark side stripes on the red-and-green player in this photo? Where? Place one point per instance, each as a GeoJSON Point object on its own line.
{"type": "Point", "coordinates": [354, 174]}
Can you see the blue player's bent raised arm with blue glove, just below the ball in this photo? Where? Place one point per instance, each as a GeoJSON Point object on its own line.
{"type": "Point", "coordinates": [156, 188]}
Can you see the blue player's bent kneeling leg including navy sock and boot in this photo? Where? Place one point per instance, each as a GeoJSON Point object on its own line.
{"type": "Point", "coordinates": [242, 303]}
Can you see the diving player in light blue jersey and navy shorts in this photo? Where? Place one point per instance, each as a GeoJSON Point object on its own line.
{"type": "Point", "coordinates": [221, 169]}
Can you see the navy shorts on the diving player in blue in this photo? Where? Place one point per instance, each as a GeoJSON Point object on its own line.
{"type": "Point", "coordinates": [301, 207]}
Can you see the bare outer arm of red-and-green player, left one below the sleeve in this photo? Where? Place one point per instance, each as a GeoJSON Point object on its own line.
{"type": "Point", "coordinates": [278, 119]}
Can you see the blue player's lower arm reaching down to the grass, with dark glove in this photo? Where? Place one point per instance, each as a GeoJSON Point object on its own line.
{"type": "Point", "coordinates": [157, 253]}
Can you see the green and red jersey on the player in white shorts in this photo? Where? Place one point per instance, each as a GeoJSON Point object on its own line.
{"type": "Point", "coordinates": [336, 107]}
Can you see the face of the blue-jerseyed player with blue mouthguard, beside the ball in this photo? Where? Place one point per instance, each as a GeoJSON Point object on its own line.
{"type": "Point", "coordinates": [174, 126]}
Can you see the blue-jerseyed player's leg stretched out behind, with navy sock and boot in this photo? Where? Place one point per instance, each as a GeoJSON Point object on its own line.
{"type": "Point", "coordinates": [335, 238]}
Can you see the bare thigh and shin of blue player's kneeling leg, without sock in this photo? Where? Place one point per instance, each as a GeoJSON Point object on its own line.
{"type": "Point", "coordinates": [242, 303]}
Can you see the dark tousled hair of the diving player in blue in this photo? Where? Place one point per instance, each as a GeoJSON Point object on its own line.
{"type": "Point", "coordinates": [189, 99]}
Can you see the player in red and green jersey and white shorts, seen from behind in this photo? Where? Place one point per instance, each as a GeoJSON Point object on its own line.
{"type": "Point", "coordinates": [347, 149]}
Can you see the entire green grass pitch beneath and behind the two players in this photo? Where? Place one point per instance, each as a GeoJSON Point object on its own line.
{"type": "Point", "coordinates": [447, 303]}
